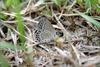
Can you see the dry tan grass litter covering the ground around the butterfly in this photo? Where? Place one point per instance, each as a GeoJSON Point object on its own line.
{"type": "Point", "coordinates": [78, 47]}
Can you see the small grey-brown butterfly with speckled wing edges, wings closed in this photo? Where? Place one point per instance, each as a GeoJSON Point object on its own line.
{"type": "Point", "coordinates": [45, 31]}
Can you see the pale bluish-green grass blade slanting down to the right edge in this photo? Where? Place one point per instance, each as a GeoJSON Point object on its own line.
{"type": "Point", "coordinates": [90, 19]}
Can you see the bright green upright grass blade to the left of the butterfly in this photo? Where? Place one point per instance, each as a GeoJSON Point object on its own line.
{"type": "Point", "coordinates": [20, 24]}
